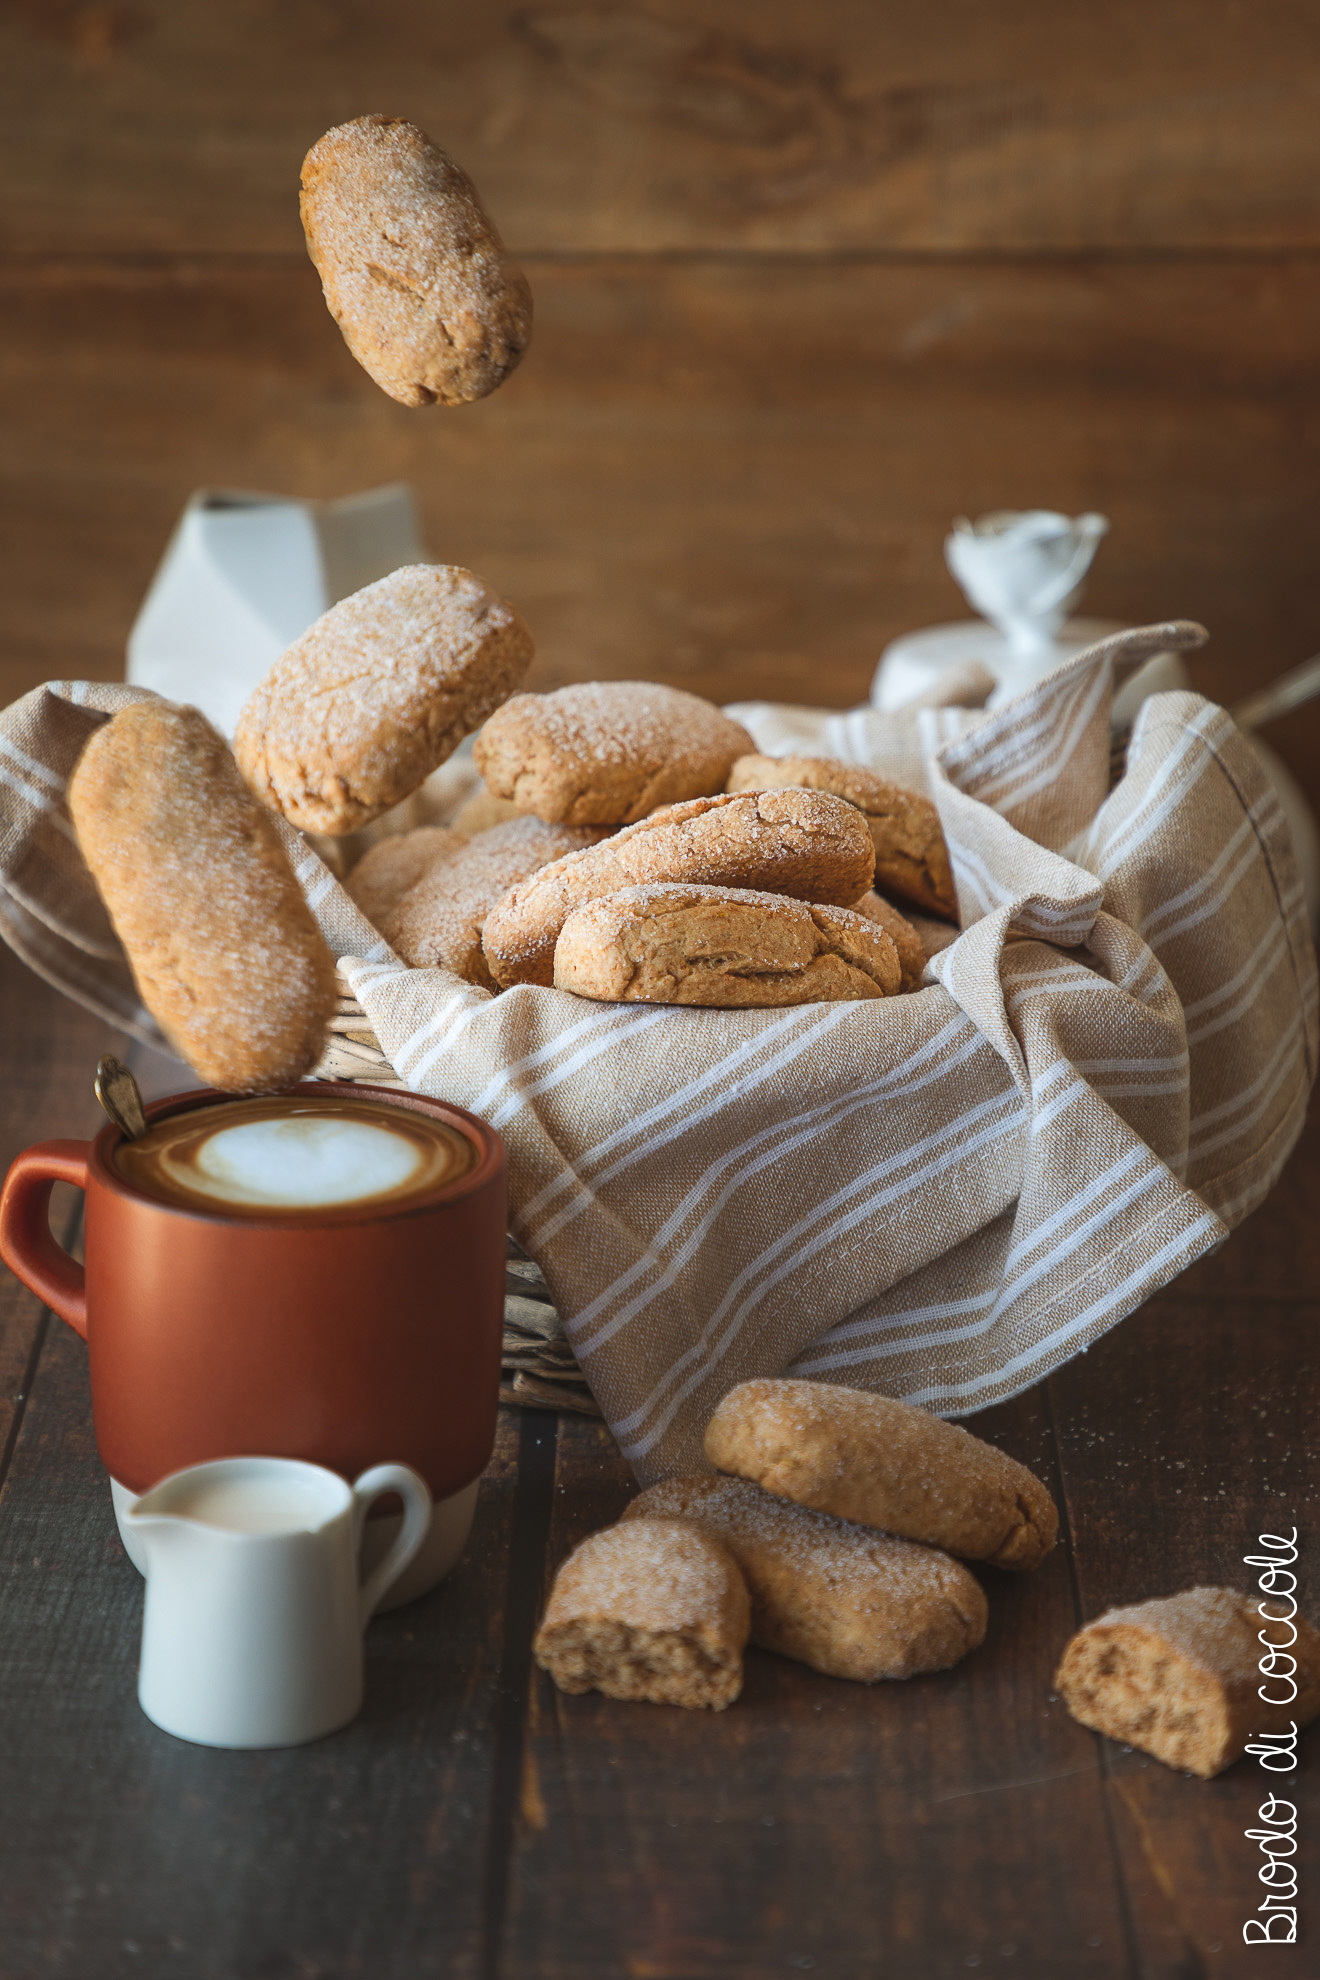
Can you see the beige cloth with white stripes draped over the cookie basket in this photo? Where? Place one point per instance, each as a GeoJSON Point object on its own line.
{"type": "Point", "coordinates": [939, 1197]}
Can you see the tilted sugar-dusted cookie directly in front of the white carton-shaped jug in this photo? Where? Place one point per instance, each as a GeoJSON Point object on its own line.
{"type": "Point", "coordinates": [377, 694]}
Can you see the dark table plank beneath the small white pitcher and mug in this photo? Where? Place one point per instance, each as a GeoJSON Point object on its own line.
{"type": "Point", "coordinates": [132, 1854]}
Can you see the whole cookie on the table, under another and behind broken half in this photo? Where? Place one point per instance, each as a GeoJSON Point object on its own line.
{"type": "Point", "coordinates": [844, 1599]}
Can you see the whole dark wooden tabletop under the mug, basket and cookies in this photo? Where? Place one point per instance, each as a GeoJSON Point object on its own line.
{"type": "Point", "coordinates": [476, 1823]}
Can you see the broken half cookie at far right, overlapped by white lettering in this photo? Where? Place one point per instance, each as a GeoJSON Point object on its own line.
{"type": "Point", "coordinates": [1180, 1678]}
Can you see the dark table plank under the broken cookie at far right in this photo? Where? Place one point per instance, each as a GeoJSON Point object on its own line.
{"type": "Point", "coordinates": [1186, 1435]}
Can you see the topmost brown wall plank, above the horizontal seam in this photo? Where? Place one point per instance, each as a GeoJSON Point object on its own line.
{"type": "Point", "coordinates": [737, 124]}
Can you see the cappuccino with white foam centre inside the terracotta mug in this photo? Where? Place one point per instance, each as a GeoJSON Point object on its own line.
{"type": "Point", "coordinates": [296, 1153]}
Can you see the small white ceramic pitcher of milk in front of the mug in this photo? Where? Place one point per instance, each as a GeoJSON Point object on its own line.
{"type": "Point", "coordinates": [252, 1629]}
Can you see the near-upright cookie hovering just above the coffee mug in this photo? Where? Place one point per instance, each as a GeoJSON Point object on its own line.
{"type": "Point", "coordinates": [225, 949]}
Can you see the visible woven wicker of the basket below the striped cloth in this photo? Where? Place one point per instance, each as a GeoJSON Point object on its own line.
{"type": "Point", "coordinates": [539, 1367]}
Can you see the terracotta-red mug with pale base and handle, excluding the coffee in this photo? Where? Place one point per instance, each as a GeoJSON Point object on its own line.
{"type": "Point", "coordinates": [347, 1336]}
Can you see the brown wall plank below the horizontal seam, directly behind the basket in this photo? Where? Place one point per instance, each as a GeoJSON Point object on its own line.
{"type": "Point", "coordinates": [735, 478]}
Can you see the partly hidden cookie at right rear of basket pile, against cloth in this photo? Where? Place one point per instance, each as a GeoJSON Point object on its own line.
{"type": "Point", "coordinates": [911, 856]}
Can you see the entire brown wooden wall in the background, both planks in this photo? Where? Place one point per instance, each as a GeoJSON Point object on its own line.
{"type": "Point", "coordinates": [810, 282]}
